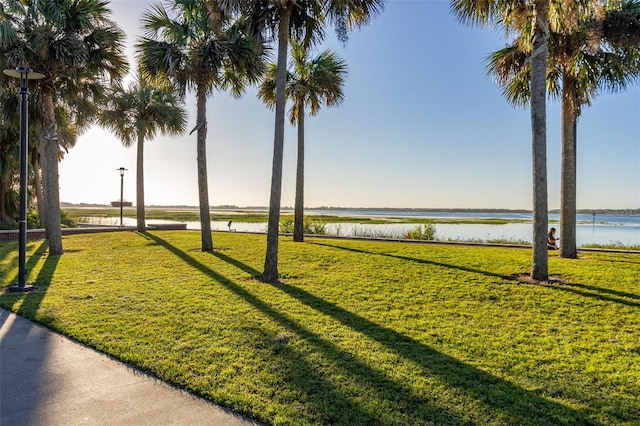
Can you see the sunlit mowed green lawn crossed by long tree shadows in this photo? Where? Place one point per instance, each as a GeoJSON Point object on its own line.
{"type": "Point", "coordinates": [357, 333]}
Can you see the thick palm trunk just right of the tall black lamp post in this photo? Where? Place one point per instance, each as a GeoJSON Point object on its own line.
{"type": "Point", "coordinates": [50, 176]}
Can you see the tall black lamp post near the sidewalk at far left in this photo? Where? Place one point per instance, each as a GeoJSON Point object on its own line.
{"type": "Point", "coordinates": [24, 74]}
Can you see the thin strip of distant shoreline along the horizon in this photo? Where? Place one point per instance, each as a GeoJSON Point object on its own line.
{"type": "Point", "coordinates": [612, 212]}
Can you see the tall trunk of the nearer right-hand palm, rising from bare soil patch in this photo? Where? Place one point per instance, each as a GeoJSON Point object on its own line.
{"type": "Point", "coordinates": [540, 257]}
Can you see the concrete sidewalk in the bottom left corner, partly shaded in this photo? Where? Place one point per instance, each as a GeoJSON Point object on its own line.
{"type": "Point", "coordinates": [47, 379]}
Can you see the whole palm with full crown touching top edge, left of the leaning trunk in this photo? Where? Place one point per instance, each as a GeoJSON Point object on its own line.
{"type": "Point", "coordinates": [184, 46]}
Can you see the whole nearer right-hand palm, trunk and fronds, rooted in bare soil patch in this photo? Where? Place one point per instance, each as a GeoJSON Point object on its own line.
{"type": "Point", "coordinates": [530, 17]}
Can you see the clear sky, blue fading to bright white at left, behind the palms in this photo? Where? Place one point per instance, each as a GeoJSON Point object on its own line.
{"type": "Point", "coordinates": [422, 125]}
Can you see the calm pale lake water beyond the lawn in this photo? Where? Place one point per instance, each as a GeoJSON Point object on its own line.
{"type": "Point", "coordinates": [603, 230]}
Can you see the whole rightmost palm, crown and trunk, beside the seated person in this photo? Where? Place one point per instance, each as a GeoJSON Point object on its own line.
{"type": "Point", "coordinates": [614, 67]}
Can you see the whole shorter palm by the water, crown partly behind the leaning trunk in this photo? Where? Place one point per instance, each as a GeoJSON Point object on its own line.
{"type": "Point", "coordinates": [310, 83]}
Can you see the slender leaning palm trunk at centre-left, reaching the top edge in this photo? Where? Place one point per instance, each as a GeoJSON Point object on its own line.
{"type": "Point", "coordinates": [270, 273]}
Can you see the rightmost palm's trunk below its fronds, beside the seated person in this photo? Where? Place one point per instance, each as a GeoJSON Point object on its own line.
{"type": "Point", "coordinates": [569, 160]}
